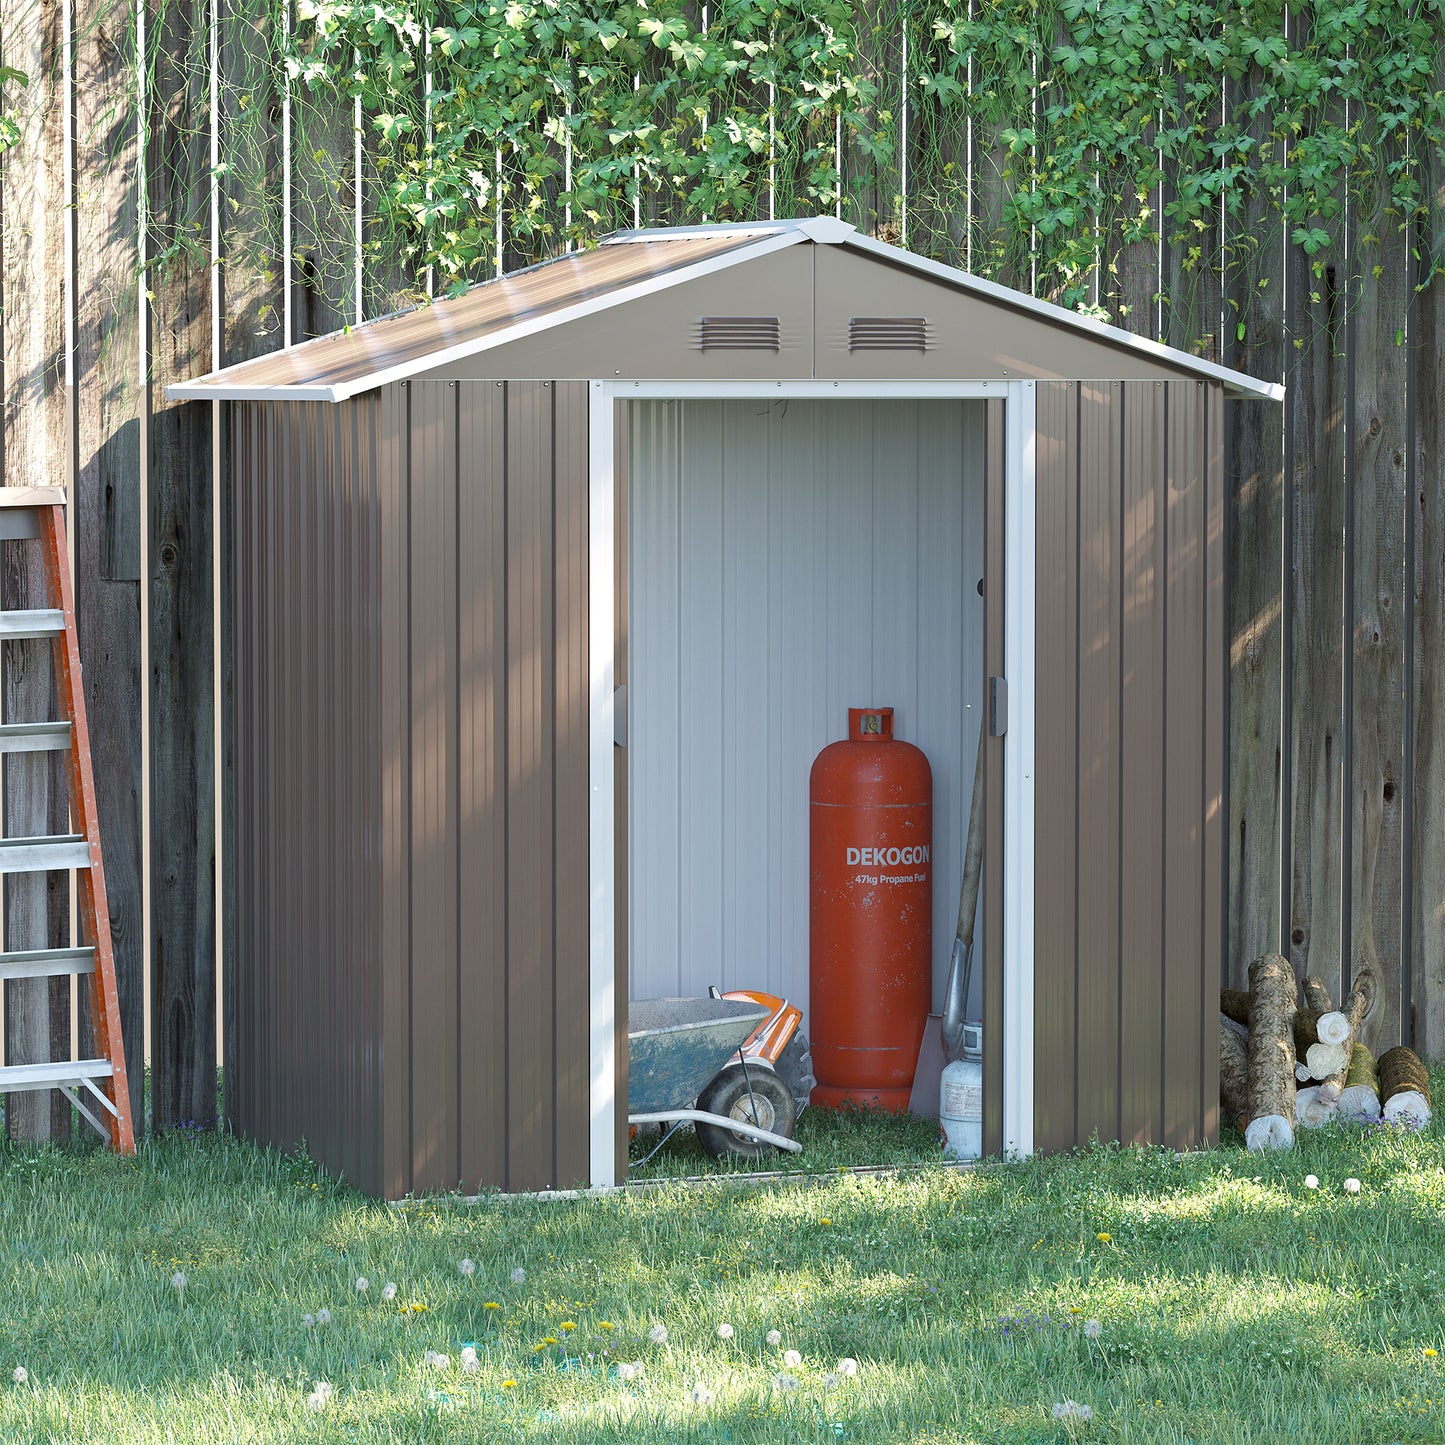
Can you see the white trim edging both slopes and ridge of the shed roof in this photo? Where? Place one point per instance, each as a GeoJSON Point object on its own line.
{"type": "Point", "coordinates": [771, 238]}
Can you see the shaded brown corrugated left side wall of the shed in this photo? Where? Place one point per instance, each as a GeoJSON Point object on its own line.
{"type": "Point", "coordinates": [307, 823]}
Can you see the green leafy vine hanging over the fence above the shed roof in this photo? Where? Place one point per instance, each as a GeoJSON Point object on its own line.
{"type": "Point", "coordinates": [1058, 145]}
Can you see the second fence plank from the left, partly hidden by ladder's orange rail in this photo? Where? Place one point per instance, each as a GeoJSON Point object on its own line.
{"type": "Point", "coordinates": [106, 514]}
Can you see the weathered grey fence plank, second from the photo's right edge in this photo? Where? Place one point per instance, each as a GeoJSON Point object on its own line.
{"type": "Point", "coordinates": [1381, 439]}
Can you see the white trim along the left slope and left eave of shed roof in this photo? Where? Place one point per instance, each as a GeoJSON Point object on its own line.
{"type": "Point", "coordinates": [215, 389]}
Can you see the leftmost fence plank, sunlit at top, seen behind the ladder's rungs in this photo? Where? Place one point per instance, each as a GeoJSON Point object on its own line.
{"type": "Point", "coordinates": [37, 453]}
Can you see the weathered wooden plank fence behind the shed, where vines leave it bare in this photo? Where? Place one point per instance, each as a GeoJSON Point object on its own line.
{"type": "Point", "coordinates": [122, 229]}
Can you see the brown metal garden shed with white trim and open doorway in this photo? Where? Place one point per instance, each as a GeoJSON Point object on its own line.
{"type": "Point", "coordinates": [543, 602]}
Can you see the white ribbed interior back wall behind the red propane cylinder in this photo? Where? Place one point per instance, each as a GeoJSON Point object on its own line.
{"type": "Point", "coordinates": [790, 560]}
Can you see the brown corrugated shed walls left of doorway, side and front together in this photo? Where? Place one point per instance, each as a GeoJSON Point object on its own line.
{"type": "Point", "coordinates": [411, 846]}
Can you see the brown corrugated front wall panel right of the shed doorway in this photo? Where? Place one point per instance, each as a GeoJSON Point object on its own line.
{"type": "Point", "coordinates": [1131, 761]}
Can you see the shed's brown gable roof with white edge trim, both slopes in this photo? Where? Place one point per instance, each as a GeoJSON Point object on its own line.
{"type": "Point", "coordinates": [624, 268]}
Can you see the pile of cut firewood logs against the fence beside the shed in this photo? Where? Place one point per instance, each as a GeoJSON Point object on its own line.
{"type": "Point", "coordinates": [1290, 1060]}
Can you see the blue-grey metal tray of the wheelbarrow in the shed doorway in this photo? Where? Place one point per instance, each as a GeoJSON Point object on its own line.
{"type": "Point", "coordinates": [676, 1047]}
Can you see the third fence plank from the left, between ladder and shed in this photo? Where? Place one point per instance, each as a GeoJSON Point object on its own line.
{"type": "Point", "coordinates": [183, 803]}
